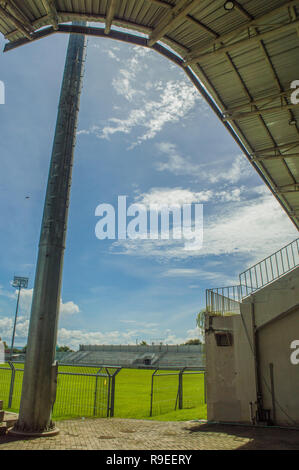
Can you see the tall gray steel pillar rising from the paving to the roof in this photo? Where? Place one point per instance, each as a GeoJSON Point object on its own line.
{"type": "Point", "coordinates": [39, 390]}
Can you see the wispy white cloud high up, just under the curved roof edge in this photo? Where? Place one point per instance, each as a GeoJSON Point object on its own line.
{"type": "Point", "coordinates": [153, 103]}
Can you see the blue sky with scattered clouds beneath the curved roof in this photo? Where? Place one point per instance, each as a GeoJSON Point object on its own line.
{"type": "Point", "coordinates": [144, 132]}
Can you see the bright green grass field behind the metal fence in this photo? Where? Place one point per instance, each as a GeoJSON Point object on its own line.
{"type": "Point", "coordinates": [77, 396]}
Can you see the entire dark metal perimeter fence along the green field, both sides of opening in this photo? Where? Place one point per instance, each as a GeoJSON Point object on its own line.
{"type": "Point", "coordinates": [89, 390]}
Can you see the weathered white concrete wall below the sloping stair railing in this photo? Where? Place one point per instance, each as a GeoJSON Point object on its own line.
{"type": "Point", "coordinates": [230, 371]}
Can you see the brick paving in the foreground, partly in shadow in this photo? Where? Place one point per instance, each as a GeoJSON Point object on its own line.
{"type": "Point", "coordinates": [130, 434]}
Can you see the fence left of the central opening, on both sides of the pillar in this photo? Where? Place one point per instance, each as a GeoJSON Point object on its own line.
{"type": "Point", "coordinates": [82, 391]}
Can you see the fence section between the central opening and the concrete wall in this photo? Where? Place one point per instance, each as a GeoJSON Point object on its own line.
{"type": "Point", "coordinates": [173, 390]}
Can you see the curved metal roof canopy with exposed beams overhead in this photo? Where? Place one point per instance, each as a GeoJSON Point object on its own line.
{"type": "Point", "coordinates": [246, 58]}
